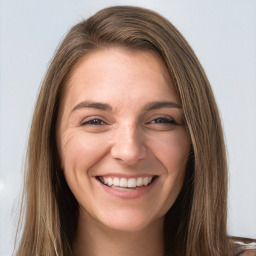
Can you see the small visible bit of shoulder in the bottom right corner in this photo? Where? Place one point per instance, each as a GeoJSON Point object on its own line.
{"type": "Point", "coordinates": [244, 246]}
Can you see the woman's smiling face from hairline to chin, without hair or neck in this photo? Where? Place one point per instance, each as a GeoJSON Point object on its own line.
{"type": "Point", "coordinates": [122, 140]}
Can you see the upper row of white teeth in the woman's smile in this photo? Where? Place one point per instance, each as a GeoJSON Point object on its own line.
{"type": "Point", "coordinates": [126, 183]}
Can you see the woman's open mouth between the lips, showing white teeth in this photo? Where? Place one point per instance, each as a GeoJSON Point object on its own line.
{"type": "Point", "coordinates": [125, 184]}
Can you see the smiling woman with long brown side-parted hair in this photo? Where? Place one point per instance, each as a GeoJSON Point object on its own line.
{"type": "Point", "coordinates": [126, 153]}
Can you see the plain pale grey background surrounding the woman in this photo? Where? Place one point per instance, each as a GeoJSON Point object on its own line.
{"type": "Point", "coordinates": [223, 35]}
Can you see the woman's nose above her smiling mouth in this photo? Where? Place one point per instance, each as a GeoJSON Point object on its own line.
{"type": "Point", "coordinates": [128, 145]}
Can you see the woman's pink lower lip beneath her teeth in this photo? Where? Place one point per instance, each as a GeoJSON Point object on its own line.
{"type": "Point", "coordinates": [131, 194]}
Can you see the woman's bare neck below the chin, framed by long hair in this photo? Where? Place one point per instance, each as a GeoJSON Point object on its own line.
{"type": "Point", "coordinates": [94, 239]}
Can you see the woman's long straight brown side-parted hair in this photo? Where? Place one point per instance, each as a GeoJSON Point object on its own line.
{"type": "Point", "coordinates": [200, 212]}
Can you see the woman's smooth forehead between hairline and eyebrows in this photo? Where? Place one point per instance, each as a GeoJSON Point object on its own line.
{"type": "Point", "coordinates": [116, 71]}
